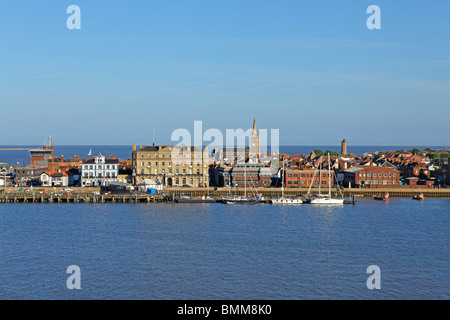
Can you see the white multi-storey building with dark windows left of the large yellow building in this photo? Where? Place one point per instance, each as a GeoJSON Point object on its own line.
{"type": "Point", "coordinates": [99, 171]}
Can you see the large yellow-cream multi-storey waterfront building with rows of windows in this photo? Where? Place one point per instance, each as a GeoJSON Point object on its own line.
{"type": "Point", "coordinates": [189, 168]}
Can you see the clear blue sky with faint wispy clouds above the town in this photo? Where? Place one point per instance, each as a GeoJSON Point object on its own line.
{"type": "Point", "coordinates": [309, 68]}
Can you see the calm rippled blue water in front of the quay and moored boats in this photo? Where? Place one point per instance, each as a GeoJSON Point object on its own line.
{"type": "Point", "coordinates": [215, 251]}
